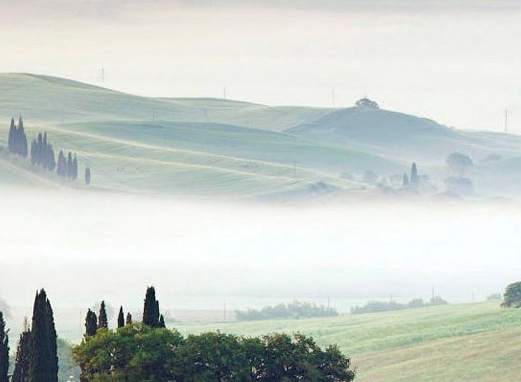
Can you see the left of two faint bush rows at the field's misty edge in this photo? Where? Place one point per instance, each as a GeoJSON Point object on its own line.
{"type": "Point", "coordinates": [294, 310]}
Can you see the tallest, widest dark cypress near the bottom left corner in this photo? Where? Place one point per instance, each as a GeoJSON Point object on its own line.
{"type": "Point", "coordinates": [43, 357]}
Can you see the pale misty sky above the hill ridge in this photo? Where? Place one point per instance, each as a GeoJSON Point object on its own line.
{"type": "Point", "coordinates": [453, 61]}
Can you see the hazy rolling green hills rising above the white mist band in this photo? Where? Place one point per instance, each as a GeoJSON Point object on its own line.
{"type": "Point", "coordinates": [230, 148]}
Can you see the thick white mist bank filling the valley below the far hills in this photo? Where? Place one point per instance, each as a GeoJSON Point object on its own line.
{"type": "Point", "coordinates": [85, 247]}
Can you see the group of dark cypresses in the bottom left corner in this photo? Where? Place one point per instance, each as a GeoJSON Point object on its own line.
{"type": "Point", "coordinates": [37, 352]}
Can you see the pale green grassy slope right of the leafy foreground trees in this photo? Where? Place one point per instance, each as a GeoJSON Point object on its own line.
{"type": "Point", "coordinates": [469, 342]}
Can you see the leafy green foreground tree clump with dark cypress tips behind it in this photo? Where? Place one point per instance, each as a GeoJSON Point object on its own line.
{"type": "Point", "coordinates": [147, 351]}
